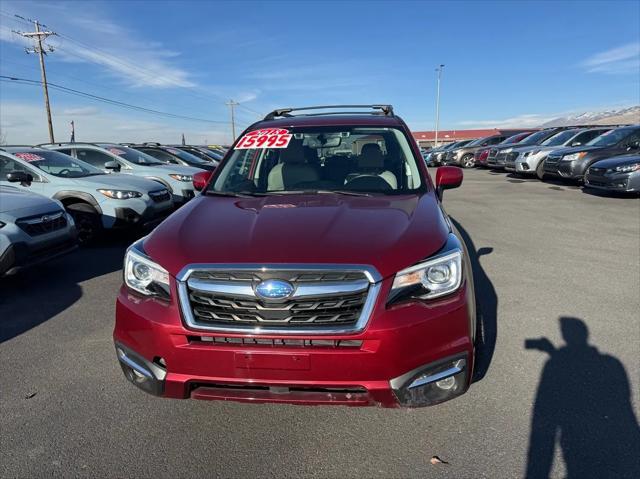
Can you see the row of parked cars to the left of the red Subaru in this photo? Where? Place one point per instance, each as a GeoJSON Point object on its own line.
{"type": "Point", "coordinates": [54, 196]}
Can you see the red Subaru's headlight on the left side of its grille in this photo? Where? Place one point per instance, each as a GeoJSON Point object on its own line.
{"type": "Point", "coordinates": [143, 275]}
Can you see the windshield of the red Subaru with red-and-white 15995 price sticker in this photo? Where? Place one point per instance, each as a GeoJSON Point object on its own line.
{"type": "Point", "coordinates": [342, 160]}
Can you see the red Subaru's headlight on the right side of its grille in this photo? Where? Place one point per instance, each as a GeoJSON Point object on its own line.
{"type": "Point", "coordinates": [432, 278]}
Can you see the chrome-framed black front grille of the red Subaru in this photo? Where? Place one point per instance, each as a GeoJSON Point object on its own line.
{"type": "Point", "coordinates": [225, 299]}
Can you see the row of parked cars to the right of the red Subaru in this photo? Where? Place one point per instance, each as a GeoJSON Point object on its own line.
{"type": "Point", "coordinates": [603, 157]}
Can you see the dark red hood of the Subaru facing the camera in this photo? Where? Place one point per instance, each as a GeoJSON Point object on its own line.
{"type": "Point", "coordinates": [388, 232]}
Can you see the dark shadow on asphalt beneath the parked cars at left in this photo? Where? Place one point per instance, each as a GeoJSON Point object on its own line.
{"type": "Point", "coordinates": [35, 295]}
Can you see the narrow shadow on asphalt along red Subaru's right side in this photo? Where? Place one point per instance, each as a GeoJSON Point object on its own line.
{"type": "Point", "coordinates": [486, 307]}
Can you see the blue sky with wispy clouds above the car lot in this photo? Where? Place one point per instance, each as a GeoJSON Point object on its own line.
{"type": "Point", "coordinates": [507, 63]}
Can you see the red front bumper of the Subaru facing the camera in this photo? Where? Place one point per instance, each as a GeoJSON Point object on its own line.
{"type": "Point", "coordinates": [402, 345]}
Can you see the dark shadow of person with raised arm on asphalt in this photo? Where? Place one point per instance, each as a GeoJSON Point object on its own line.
{"type": "Point", "coordinates": [584, 402]}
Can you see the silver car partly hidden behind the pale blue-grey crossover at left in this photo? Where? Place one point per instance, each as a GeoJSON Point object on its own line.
{"type": "Point", "coordinates": [122, 159]}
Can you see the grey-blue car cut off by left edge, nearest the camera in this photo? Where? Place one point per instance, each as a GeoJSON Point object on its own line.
{"type": "Point", "coordinates": [33, 229]}
